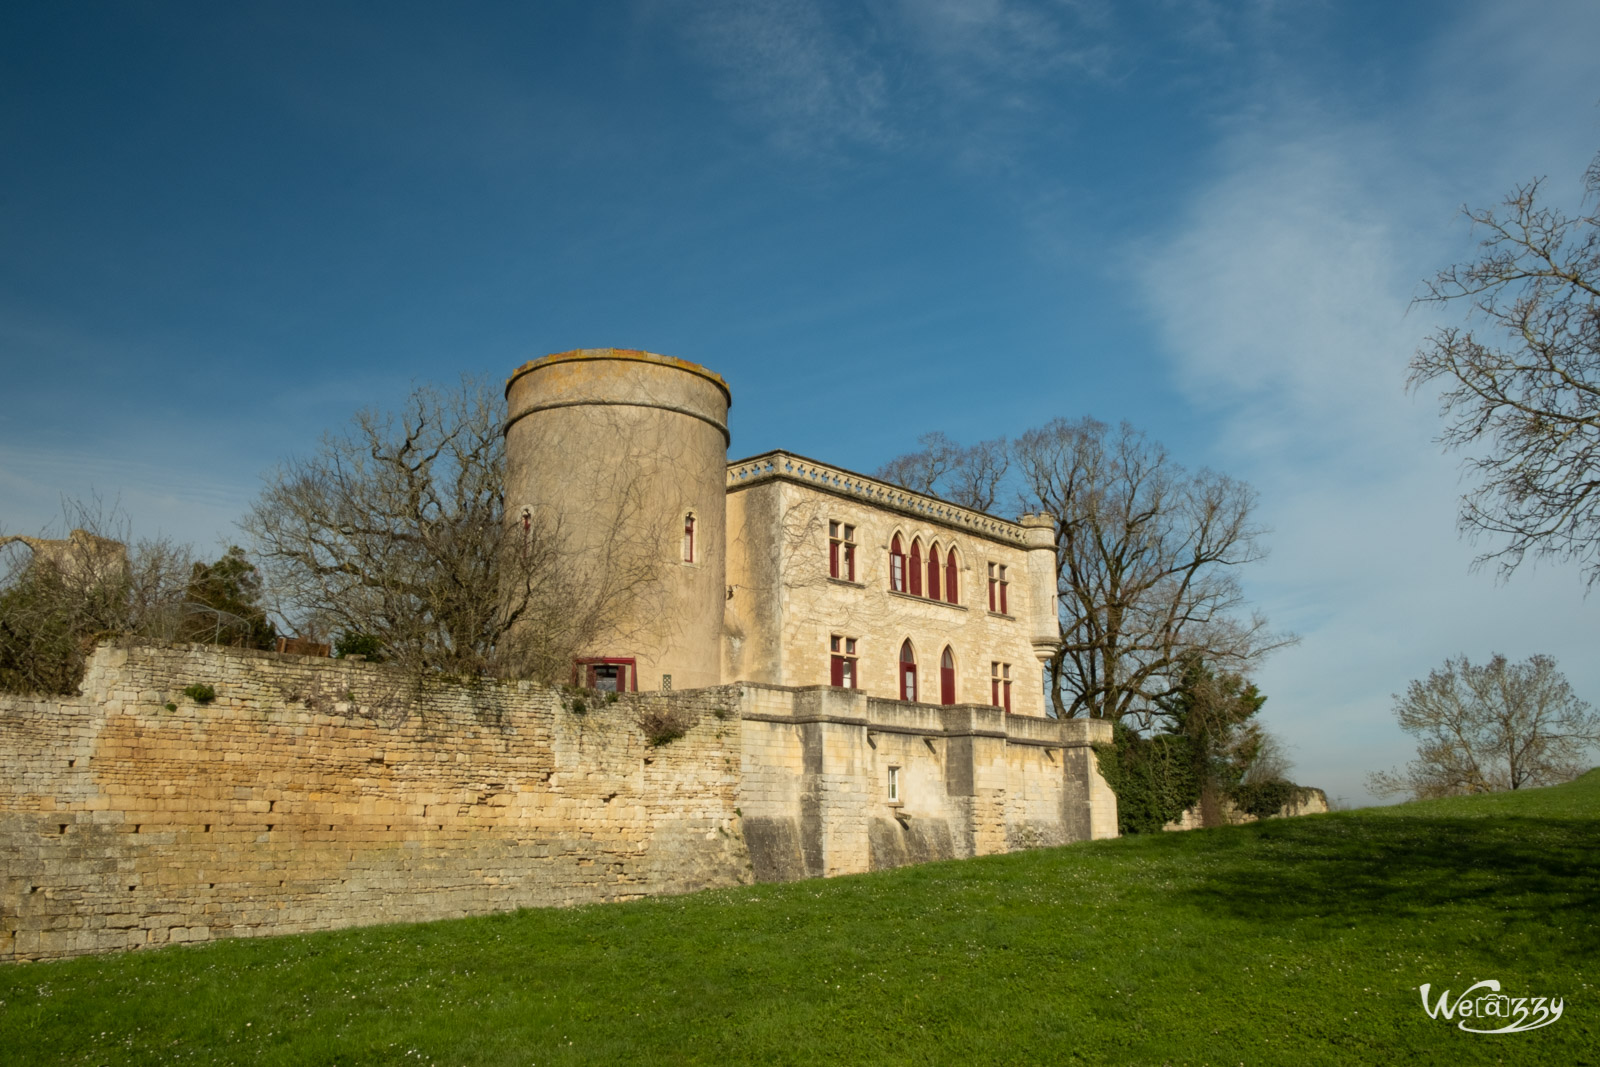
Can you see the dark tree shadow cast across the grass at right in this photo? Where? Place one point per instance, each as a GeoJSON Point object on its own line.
{"type": "Point", "coordinates": [1519, 869]}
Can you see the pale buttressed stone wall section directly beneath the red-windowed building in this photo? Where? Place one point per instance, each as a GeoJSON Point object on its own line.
{"type": "Point", "coordinates": [972, 781]}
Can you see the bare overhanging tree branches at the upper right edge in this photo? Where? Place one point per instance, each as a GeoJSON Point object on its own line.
{"type": "Point", "coordinates": [1522, 393]}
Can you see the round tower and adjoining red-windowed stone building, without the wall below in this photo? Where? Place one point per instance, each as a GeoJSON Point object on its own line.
{"type": "Point", "coordinates": [777, 569]}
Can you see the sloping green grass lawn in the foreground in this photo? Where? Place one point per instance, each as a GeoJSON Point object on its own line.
{"type": "Point", "coordinates": [1297, 941]}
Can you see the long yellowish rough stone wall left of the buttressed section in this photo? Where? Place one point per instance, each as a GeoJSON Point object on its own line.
{"type": "Point", "coordinates": [318, 794]}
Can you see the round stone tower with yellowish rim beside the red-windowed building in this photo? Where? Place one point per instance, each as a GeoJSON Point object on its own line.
{"type": "Point", "coordinates": [622, 457]}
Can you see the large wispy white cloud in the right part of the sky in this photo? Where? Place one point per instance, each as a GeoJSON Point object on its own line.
{"type": "Point", "coordinates": [1284, 298]}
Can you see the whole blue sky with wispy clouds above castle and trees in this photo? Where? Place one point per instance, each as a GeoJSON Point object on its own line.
{"type": "Point", "coordinates": [225, 228]}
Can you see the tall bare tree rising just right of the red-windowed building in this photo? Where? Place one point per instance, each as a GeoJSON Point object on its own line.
{"type": "Point", "coordinates": [1150, 561]}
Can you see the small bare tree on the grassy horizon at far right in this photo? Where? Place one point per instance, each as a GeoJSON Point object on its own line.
{"type": "Point", "coordinates": [1490, 729]}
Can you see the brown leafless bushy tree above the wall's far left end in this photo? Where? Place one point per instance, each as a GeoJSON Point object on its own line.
{"type": "Point", "coordinates": [60, 596]}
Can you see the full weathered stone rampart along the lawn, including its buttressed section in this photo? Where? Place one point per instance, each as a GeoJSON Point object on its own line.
{"type": "Point", "coordinates": [316, 794]}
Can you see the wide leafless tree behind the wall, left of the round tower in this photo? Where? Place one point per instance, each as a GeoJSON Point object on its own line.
{"type": "Point", "coordinates": [398, 529]}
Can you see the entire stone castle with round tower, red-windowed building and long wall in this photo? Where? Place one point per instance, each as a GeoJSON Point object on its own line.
{"type": "Point", "coordinates": [850, 673]}
